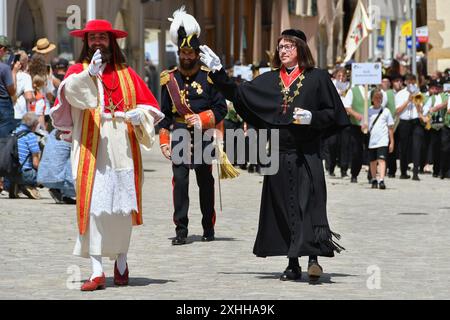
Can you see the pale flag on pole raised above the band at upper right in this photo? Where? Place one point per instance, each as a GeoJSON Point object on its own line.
{"type": "Point", "coordinates": [359, 30]}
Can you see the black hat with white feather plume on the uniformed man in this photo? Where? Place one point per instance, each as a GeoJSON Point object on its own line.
{"type": "Point", "coordinates": [184, 30]}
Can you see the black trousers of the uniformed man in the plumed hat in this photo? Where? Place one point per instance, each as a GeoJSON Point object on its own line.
{"type": "Point", "coordinates": [205, 182]}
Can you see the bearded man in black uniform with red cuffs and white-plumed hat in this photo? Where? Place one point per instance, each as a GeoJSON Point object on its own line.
{"type": "Point", "coordinates": [190, 102]}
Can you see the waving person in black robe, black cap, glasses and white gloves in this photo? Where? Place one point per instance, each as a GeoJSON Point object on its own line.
{"type": "Point", "coordinates": [302, 103]}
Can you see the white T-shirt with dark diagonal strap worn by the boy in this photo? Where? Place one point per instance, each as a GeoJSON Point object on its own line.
{"type": "Point", "coordinates": [379, 134]}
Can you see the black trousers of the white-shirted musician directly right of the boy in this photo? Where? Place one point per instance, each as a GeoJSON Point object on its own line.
{"type": "Point", "coordinates": [411, 135]}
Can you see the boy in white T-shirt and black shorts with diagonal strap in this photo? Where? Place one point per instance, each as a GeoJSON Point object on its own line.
{"type": "Point", "coordinates": [381, 143]}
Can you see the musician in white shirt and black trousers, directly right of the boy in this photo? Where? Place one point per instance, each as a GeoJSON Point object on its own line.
{"type": "Point", "coordinates": [411, 131]}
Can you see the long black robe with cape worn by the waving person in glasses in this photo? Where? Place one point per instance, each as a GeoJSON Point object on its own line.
{"type": "Point", "coordinates": [293, 215]}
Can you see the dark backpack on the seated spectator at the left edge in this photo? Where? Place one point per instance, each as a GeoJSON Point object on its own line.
{"type": "Point", "coordinates": [9, 155]}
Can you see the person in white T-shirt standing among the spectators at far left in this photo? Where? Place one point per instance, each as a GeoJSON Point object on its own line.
{"type": "Point", "coordinates": [24, 91]}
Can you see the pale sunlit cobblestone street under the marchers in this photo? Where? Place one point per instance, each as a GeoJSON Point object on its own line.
{"type": "Point", "coordinates": [396, 246]}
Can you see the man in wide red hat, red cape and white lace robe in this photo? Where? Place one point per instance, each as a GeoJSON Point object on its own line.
{"type": "Point", "coordinates": [107, 111]}
